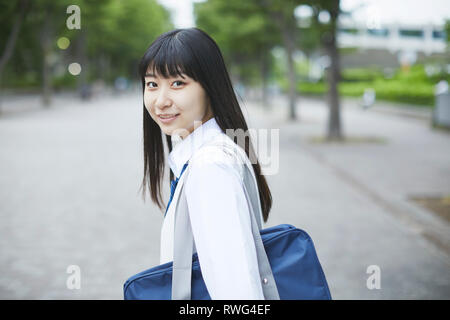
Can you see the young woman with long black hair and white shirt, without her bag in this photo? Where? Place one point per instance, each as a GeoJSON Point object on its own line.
{"type": "Point", "coordinates": [187, 94]}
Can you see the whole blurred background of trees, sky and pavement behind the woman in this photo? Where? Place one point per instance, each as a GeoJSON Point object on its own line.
{"type": "Point", "coordinates": [358, 90]}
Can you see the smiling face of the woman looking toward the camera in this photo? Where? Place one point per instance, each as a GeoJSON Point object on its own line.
{"type": "Point", "coordinates": [183, 100]}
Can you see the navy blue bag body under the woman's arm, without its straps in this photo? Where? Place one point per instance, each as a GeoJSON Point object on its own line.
{"type": "Point", "coordinates": [292, 256]}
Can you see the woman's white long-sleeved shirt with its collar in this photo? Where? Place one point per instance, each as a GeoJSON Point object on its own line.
{"type": "Point", "coordinates": [220, 219]}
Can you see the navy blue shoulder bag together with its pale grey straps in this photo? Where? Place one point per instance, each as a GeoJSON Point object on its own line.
{"type": "Point", "coordinates": [287, 261]}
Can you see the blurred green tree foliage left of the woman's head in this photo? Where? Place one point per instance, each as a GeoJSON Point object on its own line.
{"type": "Point", "coordinates": [113, 37]}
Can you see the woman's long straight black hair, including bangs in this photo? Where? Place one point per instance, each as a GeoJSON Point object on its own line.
{"type": "Point", "coordinates": [193, 52]}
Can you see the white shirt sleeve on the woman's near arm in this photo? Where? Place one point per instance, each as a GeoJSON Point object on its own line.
{"type": "Point", "coordinates": [220, 221]}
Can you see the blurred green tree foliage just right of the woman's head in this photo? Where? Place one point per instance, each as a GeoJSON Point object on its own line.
{"type": "Point", "coordinates": [243, 33]}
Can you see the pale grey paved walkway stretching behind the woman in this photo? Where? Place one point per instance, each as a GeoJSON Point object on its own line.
{"type": "Point", "coordinates": [69, 196]}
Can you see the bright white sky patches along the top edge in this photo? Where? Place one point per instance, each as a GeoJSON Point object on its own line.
{"type": "Point", "coordinates": [385, 11]}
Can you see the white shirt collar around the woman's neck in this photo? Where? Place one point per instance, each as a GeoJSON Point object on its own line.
{"type": "Point", "coordinates": [184, 149]}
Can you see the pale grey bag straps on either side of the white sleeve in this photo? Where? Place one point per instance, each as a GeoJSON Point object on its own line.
{"type": "Point", "coordinates": [184, 242]}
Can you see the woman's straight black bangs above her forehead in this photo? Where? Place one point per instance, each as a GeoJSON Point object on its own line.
{"type": "Point", "coordinates": [168, 59]}
